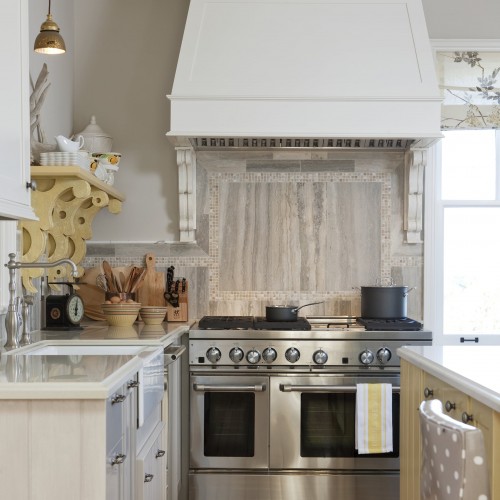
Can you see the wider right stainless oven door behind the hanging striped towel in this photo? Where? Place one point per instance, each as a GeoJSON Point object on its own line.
{"type": "Point", "coordinates": [313, 423]}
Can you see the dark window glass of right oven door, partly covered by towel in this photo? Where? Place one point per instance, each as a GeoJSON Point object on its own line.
{"type": "Point", "coordinates": [327, 426]}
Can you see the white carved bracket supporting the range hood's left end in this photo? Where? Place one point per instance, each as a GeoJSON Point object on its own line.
{"type": "Point", "coordinates": [186, 162]}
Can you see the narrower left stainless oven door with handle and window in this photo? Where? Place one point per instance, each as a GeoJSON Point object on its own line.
{"type": "Point", "coordinates": [229, 422]}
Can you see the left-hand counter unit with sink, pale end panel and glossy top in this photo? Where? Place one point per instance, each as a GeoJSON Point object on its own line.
{"type": "Point", "coordinates": [81, 414]}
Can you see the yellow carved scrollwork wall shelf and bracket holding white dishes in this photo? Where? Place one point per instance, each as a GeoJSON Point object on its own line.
{"type": "Point", "coordinates": [66, 200]}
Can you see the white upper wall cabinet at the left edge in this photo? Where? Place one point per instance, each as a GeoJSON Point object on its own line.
{"type": "Point", "coordinates": [15, 194]}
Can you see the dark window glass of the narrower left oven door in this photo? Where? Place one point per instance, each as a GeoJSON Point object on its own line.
{"type": "Point", "coordinates": [229, 424]}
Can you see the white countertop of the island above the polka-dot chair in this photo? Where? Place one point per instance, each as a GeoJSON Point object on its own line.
{"type": "Point", "coordinates": [473, 370]}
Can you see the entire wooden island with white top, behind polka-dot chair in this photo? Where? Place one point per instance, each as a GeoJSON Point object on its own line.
{"type": "Point", "coordinates": [467, 381]}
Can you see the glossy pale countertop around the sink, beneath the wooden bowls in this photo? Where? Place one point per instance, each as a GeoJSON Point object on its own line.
{"type": "Point", "coordinates": [24, 376]}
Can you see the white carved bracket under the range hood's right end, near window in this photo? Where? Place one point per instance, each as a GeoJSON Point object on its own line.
{"type": "Point", "coordinates": [415, 162]}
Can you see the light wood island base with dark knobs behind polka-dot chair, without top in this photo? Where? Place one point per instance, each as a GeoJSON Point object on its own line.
{"type": "Point", "coordinates": [417, 385]}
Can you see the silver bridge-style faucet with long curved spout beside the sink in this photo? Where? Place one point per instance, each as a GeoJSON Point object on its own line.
{"type": "Point", "coordinates": [13, 319]}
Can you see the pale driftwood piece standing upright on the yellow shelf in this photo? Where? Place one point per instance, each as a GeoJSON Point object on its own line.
{"type": "Point", "coordinates": [37, 99]}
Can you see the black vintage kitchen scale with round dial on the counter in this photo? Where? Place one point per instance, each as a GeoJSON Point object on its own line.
{"type": "Point", "coordinates": [63, 312]}
